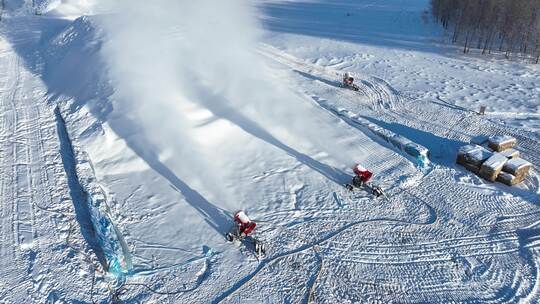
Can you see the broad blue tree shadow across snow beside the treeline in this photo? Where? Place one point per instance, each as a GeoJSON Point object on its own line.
{"type": "Point", "coordinates": [386, 24]}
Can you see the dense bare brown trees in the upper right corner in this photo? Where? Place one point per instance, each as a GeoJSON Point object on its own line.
{"type": "Point", "coordinates": [509, 26]}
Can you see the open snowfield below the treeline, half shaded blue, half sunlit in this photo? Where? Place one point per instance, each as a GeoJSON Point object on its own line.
{"type": "Point", "coordinates": [390, 40]}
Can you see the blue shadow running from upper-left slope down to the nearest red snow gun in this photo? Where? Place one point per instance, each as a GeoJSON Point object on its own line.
{"type": "Point", "coordinates": [77, 74]}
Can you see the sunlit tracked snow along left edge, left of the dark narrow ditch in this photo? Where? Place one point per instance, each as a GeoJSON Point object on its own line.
{"type": "Point", "coordinates": [41, 238]}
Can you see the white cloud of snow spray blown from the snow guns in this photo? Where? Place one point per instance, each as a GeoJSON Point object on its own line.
{"type": "Point", "coordinates": [165, 53]}
